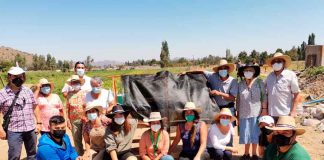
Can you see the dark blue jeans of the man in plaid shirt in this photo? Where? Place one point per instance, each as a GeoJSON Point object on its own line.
{"type": "Point", "coordinates": [15, 140]}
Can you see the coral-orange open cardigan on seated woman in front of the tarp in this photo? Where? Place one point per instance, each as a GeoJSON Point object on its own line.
{"type": "Point", "coordinates": [146, 146]}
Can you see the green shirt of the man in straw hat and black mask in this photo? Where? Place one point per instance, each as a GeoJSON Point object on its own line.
{"type": "Point", "coordinates": [296, 152]}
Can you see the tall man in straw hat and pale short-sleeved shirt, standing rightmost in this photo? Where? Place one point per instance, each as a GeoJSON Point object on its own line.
{"type": "Point", "coordinates": [282, 87]}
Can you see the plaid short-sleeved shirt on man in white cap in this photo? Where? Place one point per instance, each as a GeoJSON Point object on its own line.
{"type": "Point", "coordinates": [22, 117]}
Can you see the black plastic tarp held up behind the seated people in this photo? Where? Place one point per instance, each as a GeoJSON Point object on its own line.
{"type": "Point", "coordinates": [167, 93]}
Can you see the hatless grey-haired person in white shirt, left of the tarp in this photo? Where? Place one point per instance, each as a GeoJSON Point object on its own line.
{"type": "Point", "coordinates": [101, 95]}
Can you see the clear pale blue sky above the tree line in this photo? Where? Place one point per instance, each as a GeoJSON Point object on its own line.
{"type": "Point", "coordinates": [123, 30]}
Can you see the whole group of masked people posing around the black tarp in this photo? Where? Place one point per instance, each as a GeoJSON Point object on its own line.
{"type": "Point", "coordinates": [263, 110]}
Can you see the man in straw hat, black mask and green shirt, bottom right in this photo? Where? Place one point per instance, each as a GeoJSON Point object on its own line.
{"type": "Point", "coordinates": [284, 145]}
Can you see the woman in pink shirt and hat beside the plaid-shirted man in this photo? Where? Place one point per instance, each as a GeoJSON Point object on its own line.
{"type": "Point", "coordinates": [49, 104]}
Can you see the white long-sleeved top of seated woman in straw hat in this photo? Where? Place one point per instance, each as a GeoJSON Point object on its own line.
{"type": "Point", "coordinates": [218, 140]}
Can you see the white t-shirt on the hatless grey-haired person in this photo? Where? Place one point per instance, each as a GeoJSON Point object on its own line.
{"type": "Point", "coordinates": [105, 97]}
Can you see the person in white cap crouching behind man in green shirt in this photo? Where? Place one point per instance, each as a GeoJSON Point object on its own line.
{"type": "Point", "coordinates": [266, 134]}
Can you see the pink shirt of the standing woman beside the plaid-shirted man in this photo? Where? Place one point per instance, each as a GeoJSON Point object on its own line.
{"type": "Point", "coordinates": [49, 107]}
